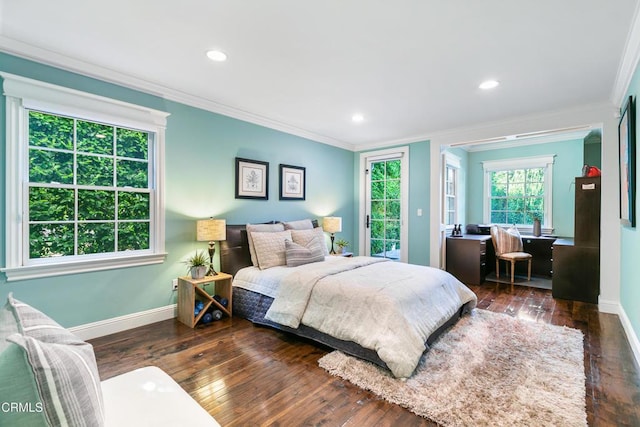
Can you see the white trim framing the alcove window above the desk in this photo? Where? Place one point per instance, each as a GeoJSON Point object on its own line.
{"type": "Point", "coordinates": [545, 162]}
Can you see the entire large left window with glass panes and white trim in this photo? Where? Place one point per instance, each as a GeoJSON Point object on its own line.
{"type": "Point", "coordinates": [84, 187]}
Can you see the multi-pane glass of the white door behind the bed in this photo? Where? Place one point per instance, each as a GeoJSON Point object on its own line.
{"type": "Point", "coordinates": [383, 227]}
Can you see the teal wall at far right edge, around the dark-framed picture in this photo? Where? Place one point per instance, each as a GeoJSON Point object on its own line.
{"type": "Point", "coordinates": [630, 239]}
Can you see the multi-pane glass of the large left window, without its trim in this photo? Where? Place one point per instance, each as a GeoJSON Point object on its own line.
{"type": "Point", "coordinates": [89, 189]}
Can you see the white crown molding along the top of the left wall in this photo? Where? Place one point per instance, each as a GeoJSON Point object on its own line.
{"type": "Point", "coordinates": [54, 59]}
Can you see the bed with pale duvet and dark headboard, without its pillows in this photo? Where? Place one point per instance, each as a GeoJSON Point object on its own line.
{"type": "Point", "coordinates": [371, 308]}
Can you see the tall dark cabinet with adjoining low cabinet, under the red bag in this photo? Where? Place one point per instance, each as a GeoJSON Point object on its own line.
{"type": "Point", "coordinates": [576, 263]}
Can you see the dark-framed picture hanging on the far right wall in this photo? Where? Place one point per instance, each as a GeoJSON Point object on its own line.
{"type": "Point", "coordinates": [627, 152]}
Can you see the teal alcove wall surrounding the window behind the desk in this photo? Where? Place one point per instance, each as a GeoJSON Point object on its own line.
{"type": "Point", "coordinates": [567, 165]}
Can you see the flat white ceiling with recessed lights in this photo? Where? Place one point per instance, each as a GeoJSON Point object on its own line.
{"type": "Point", "coordinates": [411, 67]}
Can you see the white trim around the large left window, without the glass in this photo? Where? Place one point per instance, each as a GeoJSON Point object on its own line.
{"type": "Point", "coordinates": [22, 93]}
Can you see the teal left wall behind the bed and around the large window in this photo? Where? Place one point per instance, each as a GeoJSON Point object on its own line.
{"type": "Point", "coordinates": [200, 161]}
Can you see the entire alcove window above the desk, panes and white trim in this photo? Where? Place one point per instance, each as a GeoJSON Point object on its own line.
{"type": "Point", "coordinates": [517, 191]}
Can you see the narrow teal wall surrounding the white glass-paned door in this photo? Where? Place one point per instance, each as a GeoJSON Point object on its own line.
{"type": "Point", "coordinates": [419, 198]}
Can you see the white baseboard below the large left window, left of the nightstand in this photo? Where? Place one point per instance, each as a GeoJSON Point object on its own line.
{"type": "Point", "coordinates": [122, 323]}
